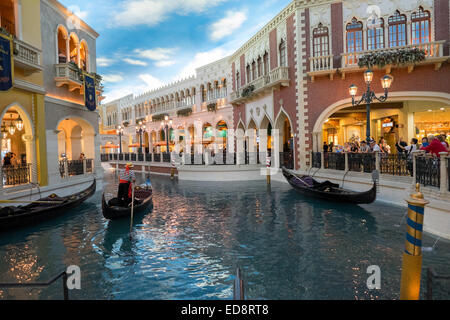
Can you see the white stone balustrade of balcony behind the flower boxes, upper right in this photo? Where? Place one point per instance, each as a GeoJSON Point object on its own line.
{"type": "Point", "coordinates": [432, 50]}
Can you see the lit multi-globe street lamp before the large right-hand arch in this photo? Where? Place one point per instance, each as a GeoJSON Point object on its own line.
{"type": "Point", "coordinates": [369, 96]}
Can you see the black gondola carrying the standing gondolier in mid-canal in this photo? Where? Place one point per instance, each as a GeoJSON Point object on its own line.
{"type": "Point", "coordinates": [112, 211]}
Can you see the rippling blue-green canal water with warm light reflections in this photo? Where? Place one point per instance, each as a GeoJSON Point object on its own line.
{"type": "Point", "coordinates": [190, 243]}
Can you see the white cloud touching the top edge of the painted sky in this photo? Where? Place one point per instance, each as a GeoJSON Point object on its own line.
{"type": "Point", "coordinates": [152, 12]}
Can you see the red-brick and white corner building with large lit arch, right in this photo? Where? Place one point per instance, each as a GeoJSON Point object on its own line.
{"type": "Point", "coordinates": [298, 69]}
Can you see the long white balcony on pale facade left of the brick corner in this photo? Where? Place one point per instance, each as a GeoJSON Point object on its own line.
{"type": "Point", "coordinates": [276, 78]}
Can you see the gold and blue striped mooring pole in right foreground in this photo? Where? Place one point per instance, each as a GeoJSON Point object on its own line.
{"type": "Point", "coordinates": [412, 257]}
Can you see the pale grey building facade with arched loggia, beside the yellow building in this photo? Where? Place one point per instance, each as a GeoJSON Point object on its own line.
{"type": "Point", "coordinates": [69, 51]}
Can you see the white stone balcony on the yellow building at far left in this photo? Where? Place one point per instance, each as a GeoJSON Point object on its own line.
{"type": "Point", "coordinates": [27, 57]}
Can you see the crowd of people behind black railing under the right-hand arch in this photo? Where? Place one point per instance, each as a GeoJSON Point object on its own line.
{"type": "Point", "coordinates": [431, 144]}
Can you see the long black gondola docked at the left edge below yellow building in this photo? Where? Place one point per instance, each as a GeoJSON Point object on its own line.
{"type": "Point", "coordinates": [21, 216]}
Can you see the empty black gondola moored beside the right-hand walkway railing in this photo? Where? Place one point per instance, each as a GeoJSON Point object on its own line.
{"type": "Point", "coordinates": [328, 190]}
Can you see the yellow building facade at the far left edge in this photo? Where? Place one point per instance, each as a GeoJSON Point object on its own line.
{"type": "Point", "coordinates": [22, 106]}
